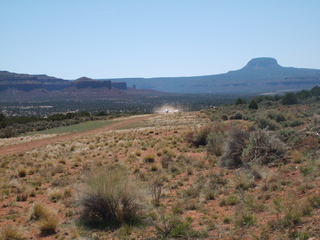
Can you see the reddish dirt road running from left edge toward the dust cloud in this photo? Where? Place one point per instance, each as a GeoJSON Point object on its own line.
{"type": "Point", "coordinates": [38, 143]}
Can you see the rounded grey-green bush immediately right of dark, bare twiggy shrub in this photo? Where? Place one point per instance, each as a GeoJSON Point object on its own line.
{"type": "Point", "coordinates": [264, 147]}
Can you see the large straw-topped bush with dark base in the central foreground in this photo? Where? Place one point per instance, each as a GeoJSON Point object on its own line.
{"type": "Point", "coordinates": [110, 198]}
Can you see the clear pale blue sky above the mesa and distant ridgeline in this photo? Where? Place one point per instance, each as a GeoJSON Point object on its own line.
{"type": "Point", "coordinates": [155, 38]}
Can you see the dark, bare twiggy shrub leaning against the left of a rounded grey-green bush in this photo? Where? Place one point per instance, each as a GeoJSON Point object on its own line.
{"type": "Point", "coordinates": [236, 142]}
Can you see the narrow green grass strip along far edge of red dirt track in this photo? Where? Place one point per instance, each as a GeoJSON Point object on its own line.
{"type": "Point", "coordinates": [82, 127]}
